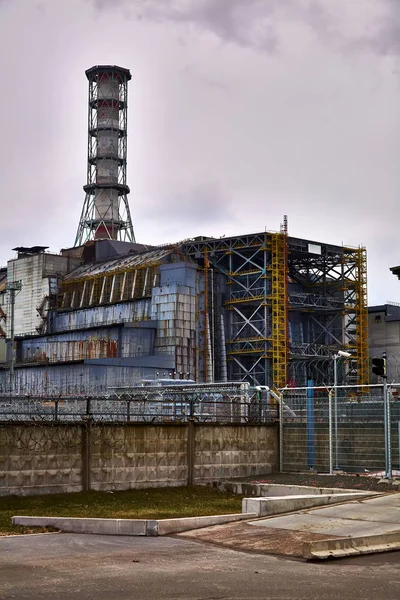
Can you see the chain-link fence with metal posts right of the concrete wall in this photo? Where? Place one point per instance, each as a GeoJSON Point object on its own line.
{"type": "Point", "coordinates": [351, 429]}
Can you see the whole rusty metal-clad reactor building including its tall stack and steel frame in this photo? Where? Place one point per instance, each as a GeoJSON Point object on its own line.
{"type": "Point", "coordinates": [262, 307]}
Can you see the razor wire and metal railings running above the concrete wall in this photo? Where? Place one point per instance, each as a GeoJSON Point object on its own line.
{"type": "Point", "coordinates": [217, 403]}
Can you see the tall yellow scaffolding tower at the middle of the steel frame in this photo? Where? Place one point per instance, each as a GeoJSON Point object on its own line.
{"type": "Point", "coordinates": [279, 308]}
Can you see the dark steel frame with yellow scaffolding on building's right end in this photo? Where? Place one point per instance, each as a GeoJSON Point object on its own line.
{"type": "Point", "coordinates": [325, 300]}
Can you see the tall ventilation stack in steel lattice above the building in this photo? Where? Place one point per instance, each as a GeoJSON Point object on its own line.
{"type": "Point", "coordinates": [105, 213]}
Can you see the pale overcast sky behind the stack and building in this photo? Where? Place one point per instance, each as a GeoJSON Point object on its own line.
{"type": "Point", "coordinates": [240, 111]}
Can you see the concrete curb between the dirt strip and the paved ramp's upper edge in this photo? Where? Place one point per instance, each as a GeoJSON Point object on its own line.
{"type": "Point", "coordinates": [283, 504]}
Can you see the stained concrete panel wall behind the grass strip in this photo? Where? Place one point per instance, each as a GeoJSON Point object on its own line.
{"type": "Point", "coordinates": [46, 458]}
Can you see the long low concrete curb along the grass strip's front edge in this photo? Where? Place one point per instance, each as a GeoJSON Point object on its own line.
{"type": "Point", "coordinates": [132, 527]}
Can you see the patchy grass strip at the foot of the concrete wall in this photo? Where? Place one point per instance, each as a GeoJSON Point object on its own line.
{"type": "Point", "coordinates": [151, 503]}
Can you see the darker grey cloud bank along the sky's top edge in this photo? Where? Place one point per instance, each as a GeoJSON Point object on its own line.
{"type": "Point", "coordinates": [255, 23]}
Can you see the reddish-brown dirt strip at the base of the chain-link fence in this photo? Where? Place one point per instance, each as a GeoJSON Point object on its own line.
{"type": "Point", "coordinates": [357, 482]}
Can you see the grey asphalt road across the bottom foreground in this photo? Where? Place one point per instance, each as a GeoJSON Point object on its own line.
{"type": "Point", "coordinates": [80, 567]}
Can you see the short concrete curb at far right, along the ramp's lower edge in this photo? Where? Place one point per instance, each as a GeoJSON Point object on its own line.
{"type": "Point", "coordinates": [351, 546]}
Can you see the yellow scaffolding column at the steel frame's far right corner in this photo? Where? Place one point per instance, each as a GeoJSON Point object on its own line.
{"type": "Point", "coordinates": [362, 317]}
